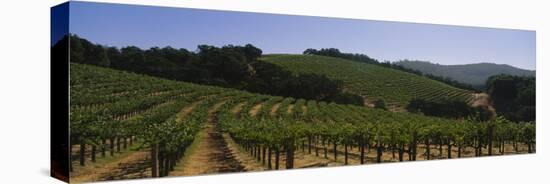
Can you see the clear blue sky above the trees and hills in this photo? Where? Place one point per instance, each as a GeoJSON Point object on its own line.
{"type": "Point", "coordinates": [148, 26]}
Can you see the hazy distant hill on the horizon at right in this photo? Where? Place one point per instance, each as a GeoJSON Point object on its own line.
{"type": "Point", "coordinates": [474, 74]}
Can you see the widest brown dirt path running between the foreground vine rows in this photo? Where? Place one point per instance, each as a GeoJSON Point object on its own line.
{"type": "Point", "coordinates": [211, 153]}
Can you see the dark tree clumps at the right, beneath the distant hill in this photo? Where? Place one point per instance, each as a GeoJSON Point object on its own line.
{"type": "Point", "coordinates": [513, 97]}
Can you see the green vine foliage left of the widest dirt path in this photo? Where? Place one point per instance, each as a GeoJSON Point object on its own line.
{"type": "Point", "coordinates": [107, 104]}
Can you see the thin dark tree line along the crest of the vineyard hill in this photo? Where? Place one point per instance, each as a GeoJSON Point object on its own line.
{"type": "Point", "coordinates": [333, 52]}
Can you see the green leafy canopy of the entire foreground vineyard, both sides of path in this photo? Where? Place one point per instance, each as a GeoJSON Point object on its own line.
{"type": "Point", "coordinates": [108, 104]}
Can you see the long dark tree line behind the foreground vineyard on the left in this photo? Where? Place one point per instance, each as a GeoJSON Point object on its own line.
{"type": "Point", "coordinates": [228, 66]}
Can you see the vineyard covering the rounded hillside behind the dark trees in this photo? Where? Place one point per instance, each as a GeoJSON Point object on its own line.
{"type": "Point", "coordinates": [371, 81]}
